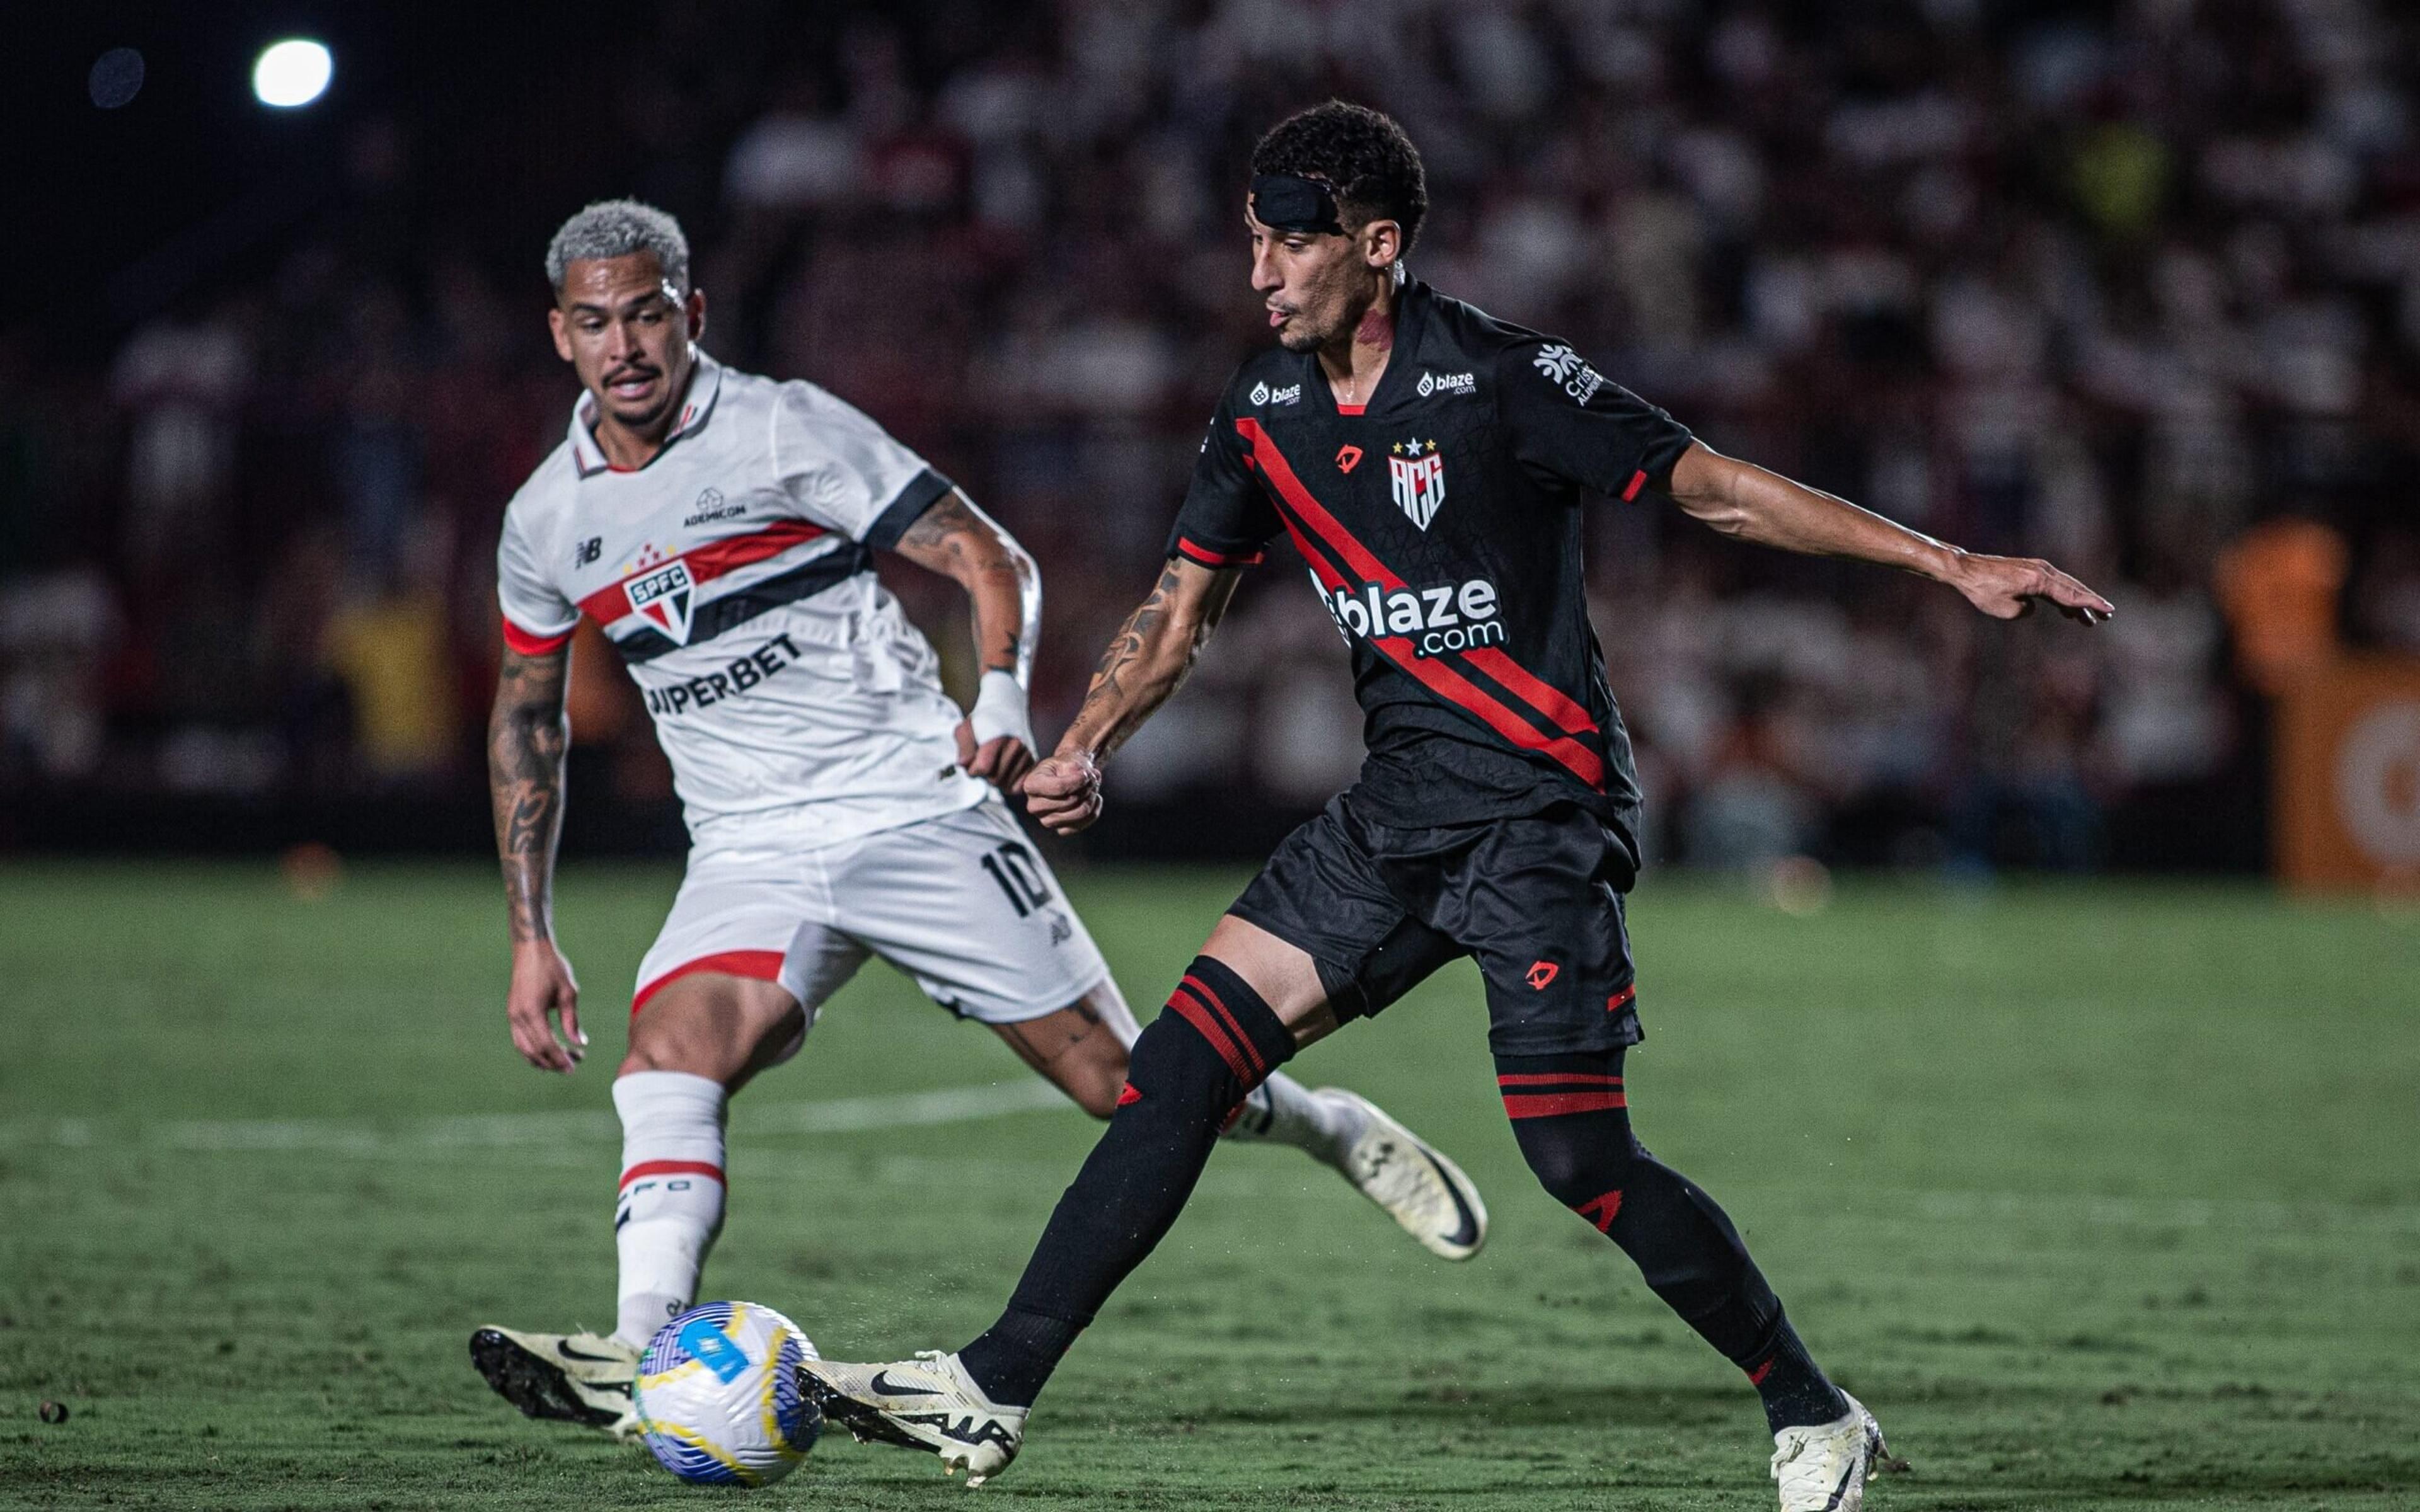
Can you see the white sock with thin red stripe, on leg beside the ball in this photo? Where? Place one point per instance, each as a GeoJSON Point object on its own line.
{"type": "Point", "coordinates": [672, 1201]}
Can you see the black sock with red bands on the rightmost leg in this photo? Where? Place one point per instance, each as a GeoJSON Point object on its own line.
{"type": "Point", "coordinates": [1574, 1126]}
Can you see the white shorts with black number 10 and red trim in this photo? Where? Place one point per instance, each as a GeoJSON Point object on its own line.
{"type": "Point", "coordinates": [960, 901]}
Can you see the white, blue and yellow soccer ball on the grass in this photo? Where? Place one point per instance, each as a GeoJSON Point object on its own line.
{"type": "Point", "coordinates": [720, 1400]}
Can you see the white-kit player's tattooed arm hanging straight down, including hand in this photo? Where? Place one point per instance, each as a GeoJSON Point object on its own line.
{"type": "Point", "coordinates": [526, 741]}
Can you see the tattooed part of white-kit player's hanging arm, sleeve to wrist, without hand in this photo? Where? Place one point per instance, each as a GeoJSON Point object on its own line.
{"type": "Point", "coordinates": [526, 739]}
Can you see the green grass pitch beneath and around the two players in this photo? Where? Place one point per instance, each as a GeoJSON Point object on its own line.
{"type": "Point", "coordinates": [2102, 1196]}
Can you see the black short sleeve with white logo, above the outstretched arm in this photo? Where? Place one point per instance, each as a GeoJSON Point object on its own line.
{"type": "Point", "coordinates": [1569, 422]}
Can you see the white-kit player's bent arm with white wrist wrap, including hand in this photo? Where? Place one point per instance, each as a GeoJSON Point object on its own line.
{"type": "Point", "coordinates": [962, 543]}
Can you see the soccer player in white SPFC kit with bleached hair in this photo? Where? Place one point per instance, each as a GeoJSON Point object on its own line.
{"type": "Point", "coordinates": [722, 529]}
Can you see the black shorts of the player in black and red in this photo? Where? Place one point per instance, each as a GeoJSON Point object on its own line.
{"type": "Point", "coordinates": [1535, 901]}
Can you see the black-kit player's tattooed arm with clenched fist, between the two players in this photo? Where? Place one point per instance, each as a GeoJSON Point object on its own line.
{"type": "Point", "coordinates": [1143, 666]}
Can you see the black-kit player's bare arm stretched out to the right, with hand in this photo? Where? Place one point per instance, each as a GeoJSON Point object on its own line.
{"type": "Point", "coordinates": [1768, 509]}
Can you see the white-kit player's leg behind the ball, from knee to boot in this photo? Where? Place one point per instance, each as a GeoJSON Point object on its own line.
{"type": "Point", "coordinates": [696, 1041]}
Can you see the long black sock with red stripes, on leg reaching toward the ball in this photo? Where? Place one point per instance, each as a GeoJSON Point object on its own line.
{"type": "Point", "coordinates": [1189, 1075]}
